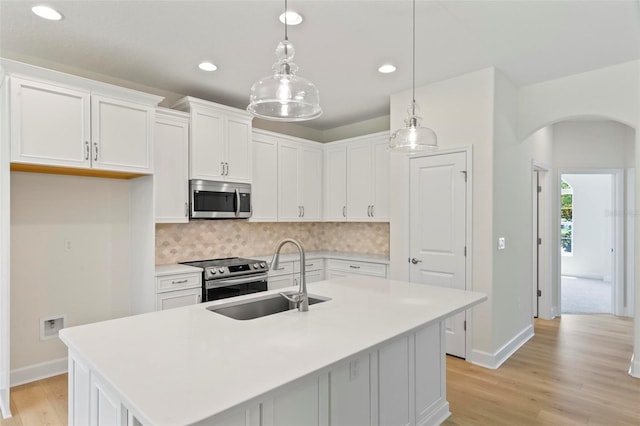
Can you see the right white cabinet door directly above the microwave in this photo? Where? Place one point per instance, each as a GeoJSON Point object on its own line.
{"type": "Point", "coordinates": [238, 149]}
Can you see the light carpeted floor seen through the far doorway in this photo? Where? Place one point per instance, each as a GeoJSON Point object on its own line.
{"type": "Point", "coordinates": [585, 296]}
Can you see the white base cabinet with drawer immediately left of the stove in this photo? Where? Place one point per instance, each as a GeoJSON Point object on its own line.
{"type": "Point", "coordinates": [177, 289]}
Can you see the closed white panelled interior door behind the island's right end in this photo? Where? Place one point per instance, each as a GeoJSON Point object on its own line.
{"type": "Point", "coordinates": [438, 231]}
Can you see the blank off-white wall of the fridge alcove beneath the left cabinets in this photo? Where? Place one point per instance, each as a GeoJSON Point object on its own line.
{"type": "Point", "coordinates": [89, 281]}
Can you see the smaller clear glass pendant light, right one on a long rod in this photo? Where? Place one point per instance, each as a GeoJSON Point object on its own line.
{"type": "Point", "coordinates": [413, 137]}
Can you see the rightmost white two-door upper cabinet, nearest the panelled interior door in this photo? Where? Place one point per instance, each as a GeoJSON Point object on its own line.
{"type": "Point", "coordinates": [356, 186]}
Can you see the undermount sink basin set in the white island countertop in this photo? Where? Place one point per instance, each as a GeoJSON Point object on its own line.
{"type": "Point", "coordinates": [256, 308]}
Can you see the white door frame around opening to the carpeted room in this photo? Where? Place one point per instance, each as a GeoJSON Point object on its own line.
{"type": "Point", "coordinates": [618, 284]}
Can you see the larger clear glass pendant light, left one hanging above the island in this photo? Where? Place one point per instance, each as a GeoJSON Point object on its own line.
{"type": "Point", "coordinates": [284, 96]}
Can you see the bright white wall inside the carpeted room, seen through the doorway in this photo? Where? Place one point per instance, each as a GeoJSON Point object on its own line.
{"type": "Point", "coordinates": [592, 227]}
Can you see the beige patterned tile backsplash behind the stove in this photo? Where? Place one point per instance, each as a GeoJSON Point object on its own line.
{"type": "Point", "coordinates": [209, 239]}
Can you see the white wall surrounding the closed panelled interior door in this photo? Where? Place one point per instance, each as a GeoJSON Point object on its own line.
{"type": "Point", "coordinates": [460, 111]}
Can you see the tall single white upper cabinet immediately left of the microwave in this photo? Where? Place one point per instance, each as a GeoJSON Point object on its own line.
{"type": "Point", "coordinates": [171, 162]}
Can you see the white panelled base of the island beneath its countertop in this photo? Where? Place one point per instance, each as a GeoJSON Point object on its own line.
{"type": "Point", "coordinates": [400, 382]}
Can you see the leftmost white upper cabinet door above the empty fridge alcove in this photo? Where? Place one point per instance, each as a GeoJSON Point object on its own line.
{"type": "Point", "coordinates": [50, 125]}
